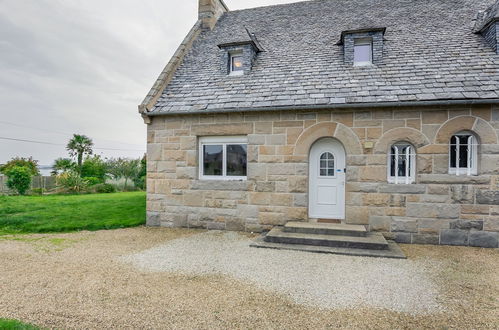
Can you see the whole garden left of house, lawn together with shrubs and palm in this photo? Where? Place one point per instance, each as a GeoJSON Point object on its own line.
{"type": "Point", "coordinates": [91, 193]}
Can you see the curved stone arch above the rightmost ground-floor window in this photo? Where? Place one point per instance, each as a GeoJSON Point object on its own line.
{"type": "Point", "coordinates": [480, 127]}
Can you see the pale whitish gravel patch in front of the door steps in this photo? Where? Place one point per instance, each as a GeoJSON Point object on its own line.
{"type": "Point", "coordinates": [319, 280]}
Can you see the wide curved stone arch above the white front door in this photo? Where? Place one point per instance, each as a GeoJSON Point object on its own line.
{"type": "Point", "coordinates": [339, 131]}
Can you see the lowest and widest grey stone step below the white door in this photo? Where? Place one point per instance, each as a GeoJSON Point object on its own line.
{"type": "Point", "coordinates": [393, 250]}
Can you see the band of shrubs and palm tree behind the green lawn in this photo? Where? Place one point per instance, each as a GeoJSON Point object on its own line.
{"type": "Point", "coordinates": [81, 172]}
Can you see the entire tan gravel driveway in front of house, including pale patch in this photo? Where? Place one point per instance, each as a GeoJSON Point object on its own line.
{"type": "Point", "coordinates": [156, 278]}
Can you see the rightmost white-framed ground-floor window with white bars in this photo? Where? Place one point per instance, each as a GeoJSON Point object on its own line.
{"type": "Point", "coordinates": [463, 154]}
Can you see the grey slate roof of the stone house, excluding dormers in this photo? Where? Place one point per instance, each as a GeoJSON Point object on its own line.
{"type": "Point", "coordinates": [430, 53]}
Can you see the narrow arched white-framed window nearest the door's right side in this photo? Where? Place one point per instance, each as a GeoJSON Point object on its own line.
{"type": "Point", "coordinates": [402, 163]}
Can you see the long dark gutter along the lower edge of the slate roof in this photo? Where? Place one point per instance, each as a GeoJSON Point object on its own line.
{"type": "Point", "coordinates": [334, 106]}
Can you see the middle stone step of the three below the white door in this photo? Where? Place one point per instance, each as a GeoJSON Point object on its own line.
{"type": "Point", "coordinates": [373, 241]}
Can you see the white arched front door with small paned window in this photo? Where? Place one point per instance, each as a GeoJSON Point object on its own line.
{"type": "Point", "coordinates": [327, 180]}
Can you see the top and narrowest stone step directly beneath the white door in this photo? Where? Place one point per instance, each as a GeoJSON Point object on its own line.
{"type": "Point", "coordinates": [325, 229]}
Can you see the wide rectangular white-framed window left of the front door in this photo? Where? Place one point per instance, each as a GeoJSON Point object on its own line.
{"type": "Point", "coordinates": [223, 158]}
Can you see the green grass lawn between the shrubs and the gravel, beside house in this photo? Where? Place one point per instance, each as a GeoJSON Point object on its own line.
{"type": "Point", "coordinates": [63, 213]}
